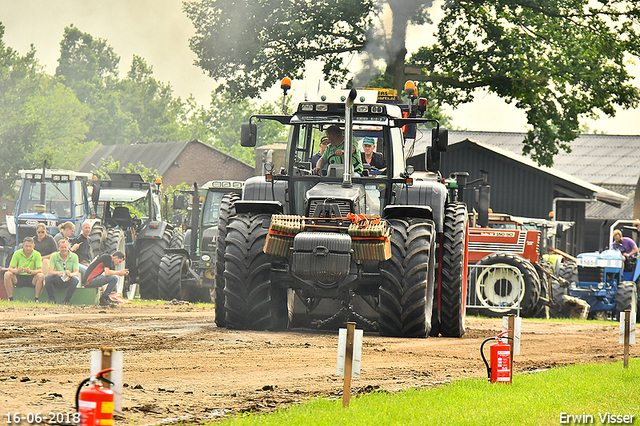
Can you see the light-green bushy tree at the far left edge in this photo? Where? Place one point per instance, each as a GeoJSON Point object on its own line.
{"type": "Point", "coordinates": [40, 119]}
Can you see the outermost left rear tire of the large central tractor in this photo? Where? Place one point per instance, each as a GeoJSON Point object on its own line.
{"type": "Point", "coordinates": [227, 210]}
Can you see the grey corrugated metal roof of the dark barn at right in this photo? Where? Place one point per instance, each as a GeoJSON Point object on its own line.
{"type": "Point", "coordinates": [595, 158]}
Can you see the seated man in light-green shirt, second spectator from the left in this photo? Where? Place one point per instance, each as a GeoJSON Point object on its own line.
{"type": "Point", "coordinates": [64, 272]}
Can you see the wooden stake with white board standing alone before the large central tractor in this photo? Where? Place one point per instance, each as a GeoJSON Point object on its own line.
{"type": "Point", "coordinates": [349, 353]}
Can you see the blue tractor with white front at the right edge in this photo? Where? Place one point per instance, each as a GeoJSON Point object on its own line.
{"type": "Point", "coordinates": [607, 284]}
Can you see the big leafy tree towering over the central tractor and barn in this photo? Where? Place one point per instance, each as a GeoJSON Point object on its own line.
{"type": "Point", "coordinates": [559, 61]}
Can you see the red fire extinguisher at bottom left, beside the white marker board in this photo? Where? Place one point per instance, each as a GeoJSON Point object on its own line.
{"type": "Point", "coordinates": [95, 402]}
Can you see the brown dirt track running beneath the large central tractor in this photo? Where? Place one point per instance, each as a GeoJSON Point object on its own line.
{"type": "Point", "coordinates": [179, 365]}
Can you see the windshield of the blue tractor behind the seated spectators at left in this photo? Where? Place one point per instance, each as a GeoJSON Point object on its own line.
{"type": "Point", "coordinates": [54, 196]}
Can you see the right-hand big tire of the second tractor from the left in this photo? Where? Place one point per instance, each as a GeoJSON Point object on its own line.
{"type": "Point", "coordinates": [150, 252]}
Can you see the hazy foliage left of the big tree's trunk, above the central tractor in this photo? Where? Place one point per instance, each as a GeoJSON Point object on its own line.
{"type": "Point", "coordinates": [251, 45]}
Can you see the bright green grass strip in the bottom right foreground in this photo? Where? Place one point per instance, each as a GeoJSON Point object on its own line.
{"type": "Point", "coordinates": [532, 399]}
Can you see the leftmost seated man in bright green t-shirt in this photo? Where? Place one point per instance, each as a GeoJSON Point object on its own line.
{"type": "Point", "coordinates": [25, 269]}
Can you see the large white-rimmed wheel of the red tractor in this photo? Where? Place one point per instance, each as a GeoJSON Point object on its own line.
{"type": "Point", "coordinates": [500, 291]}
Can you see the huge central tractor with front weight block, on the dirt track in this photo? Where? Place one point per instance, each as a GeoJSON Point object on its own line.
{"type": "Point", "coordinates": [375, 247]}
